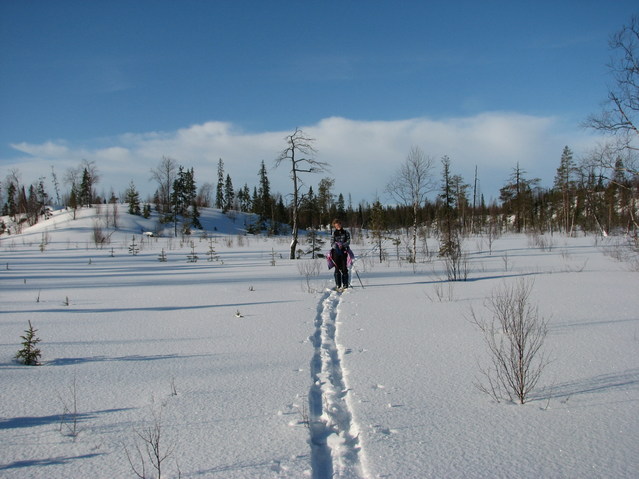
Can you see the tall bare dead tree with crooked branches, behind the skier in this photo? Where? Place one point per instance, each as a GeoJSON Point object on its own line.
{"type": "Point", "coordinates": [299, 151]}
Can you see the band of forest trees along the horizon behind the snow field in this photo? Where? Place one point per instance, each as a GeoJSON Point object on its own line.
{"type": "Point", "coordinates": [595, 195]}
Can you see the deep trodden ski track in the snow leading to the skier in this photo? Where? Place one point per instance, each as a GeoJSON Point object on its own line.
{"type": "Point", "coordinates": [335, 447]}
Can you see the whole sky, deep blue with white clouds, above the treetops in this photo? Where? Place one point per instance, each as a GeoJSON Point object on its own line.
{"type": "Point", "coordinates": [123, 83]}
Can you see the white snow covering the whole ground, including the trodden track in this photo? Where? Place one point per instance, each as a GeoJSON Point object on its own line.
{"type": "Point", "coordinates": [250, 375]}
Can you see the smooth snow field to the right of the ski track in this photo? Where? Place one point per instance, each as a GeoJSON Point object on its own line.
{"type": "Point", "coordinates": [413, 384]}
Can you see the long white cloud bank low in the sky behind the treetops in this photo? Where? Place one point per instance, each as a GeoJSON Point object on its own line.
{"type": "Point", "coordinates": [363, 154]}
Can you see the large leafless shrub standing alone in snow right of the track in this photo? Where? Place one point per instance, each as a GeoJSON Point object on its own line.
{"type": "Point", "coordinates": [515, 335]}
